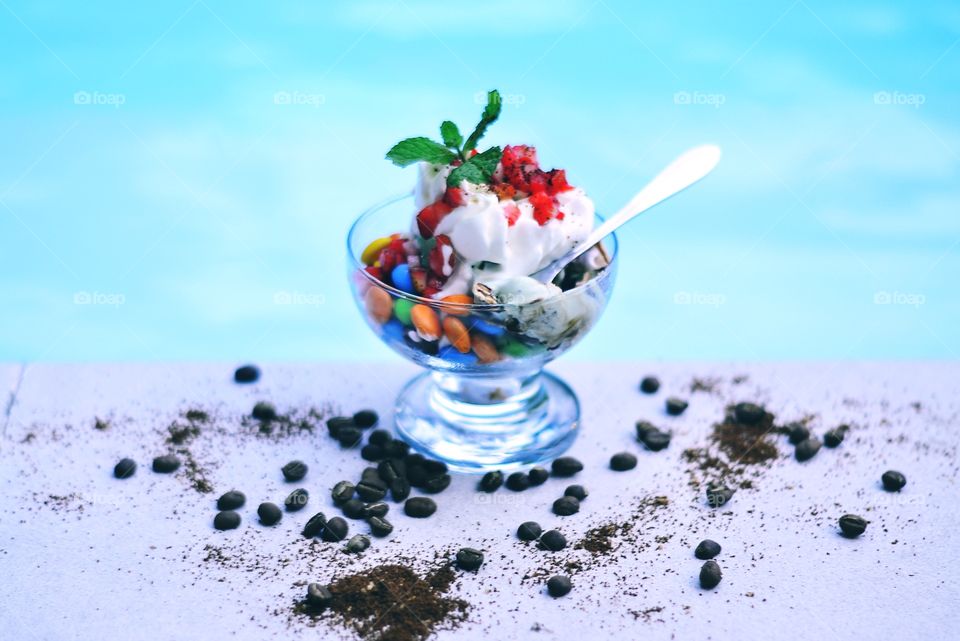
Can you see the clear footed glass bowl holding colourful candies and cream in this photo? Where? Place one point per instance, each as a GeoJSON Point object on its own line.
{"type": "Point", "coordinates": [484, 402]}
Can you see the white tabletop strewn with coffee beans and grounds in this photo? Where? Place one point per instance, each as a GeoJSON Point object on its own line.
{"type": "Point", "coordinates": [124, 559]}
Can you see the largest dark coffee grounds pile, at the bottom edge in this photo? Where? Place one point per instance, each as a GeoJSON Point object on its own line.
{"type": "Point", "coordinates": [393, 603]}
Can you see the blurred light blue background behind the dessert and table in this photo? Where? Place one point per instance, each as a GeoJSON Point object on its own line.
{"type": "Point", "coordinates": [174, 174]}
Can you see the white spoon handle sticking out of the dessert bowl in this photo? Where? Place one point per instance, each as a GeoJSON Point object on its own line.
{"type": "Point", "coordinates": [688, 168]}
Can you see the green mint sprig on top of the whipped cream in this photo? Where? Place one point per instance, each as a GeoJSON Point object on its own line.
{"type": "Point", "coordinates": [477, 169]}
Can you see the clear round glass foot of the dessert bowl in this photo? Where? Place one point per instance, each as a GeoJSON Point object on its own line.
{"type": "Point", "coordinates": [481, 424]}
